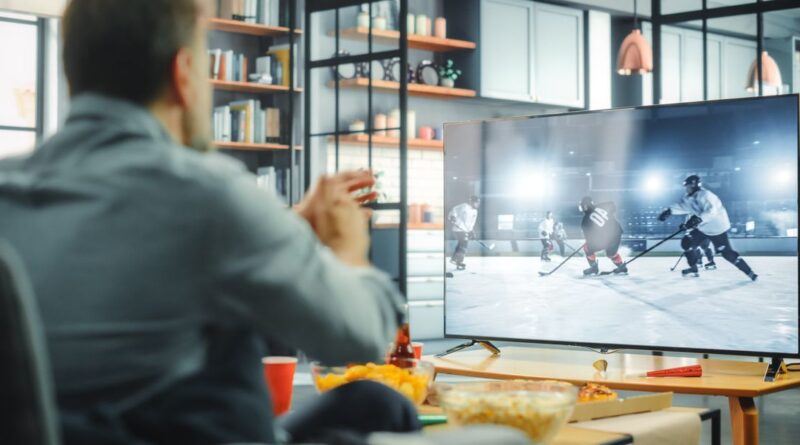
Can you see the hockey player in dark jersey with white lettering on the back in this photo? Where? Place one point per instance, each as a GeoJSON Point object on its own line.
{"type": "Point", "coordinates": [602, 232]}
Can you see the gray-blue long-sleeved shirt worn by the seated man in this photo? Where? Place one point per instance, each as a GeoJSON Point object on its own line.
{"type": "Point", "coordinates": [135, 245]}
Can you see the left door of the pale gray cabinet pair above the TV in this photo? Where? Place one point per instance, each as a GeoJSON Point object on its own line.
{"type": "Point", "coordinates": [506, 49]}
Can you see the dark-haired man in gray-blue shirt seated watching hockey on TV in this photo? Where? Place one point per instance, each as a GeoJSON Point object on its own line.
{"type": "Point", "coordinates": [159, 269]}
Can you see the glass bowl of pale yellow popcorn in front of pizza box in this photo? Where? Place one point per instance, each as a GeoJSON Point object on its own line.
{"type": "Point", "coordinates": [540, 409]}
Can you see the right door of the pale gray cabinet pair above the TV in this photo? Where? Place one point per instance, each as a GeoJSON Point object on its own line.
{"type": "Point", "coordinates": [558, 55]}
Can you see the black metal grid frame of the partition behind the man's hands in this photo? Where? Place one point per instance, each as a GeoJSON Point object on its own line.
{"type": "Point", "coordinates": [317, 6]}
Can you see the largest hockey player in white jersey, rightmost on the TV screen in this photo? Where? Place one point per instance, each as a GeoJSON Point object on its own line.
{"type": "Point", "coordinates": [709, 219]}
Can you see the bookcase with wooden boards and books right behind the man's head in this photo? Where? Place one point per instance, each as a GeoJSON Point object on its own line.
{"type": "Point", "coordinates": [282, 155]}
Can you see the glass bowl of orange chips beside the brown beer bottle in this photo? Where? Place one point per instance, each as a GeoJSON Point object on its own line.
{"type": "Point", "coordinates": [412, 380]}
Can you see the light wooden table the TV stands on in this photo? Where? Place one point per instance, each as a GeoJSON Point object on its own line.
{"type": "Point", "coordinates": [739, 381]}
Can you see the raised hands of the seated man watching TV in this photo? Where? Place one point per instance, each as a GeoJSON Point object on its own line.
{"type": "Point", "coordinates": [337, 217]}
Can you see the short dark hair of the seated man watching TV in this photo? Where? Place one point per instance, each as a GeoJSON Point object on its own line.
{"type": "Point", "coordinates": [125, 48]}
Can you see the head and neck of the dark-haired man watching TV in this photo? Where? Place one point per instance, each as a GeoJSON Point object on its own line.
{"type": "Point", "coordinates": [149, 52]}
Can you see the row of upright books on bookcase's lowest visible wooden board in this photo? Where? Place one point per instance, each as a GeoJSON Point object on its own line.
{"type": "Point", "coordinates": [245, 121]}
